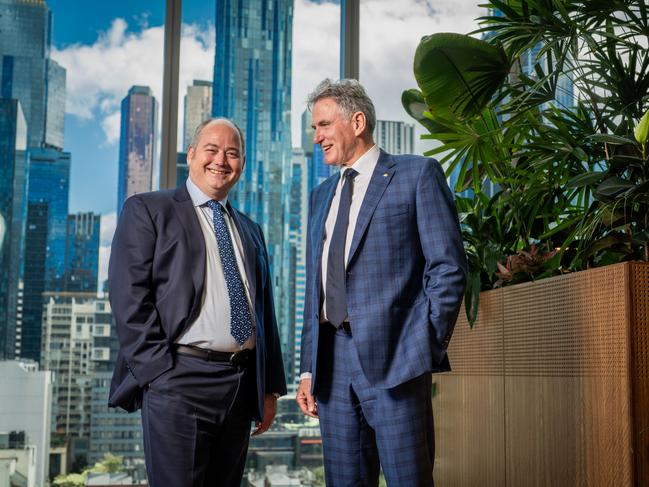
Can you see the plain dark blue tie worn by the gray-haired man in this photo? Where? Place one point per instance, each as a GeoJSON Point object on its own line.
{"type": "Point", "coordinates": [335, 293]}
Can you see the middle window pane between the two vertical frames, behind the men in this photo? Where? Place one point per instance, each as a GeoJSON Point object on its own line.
{"type": "Point", "coordinates": [255, 63]}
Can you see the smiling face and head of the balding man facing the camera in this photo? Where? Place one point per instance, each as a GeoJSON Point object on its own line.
{"type": "Point", "coordinates": [216, 163]}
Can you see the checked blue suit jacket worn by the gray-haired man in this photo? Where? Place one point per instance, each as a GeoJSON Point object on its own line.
{"type": "Point", "coordinates": [406, 272]}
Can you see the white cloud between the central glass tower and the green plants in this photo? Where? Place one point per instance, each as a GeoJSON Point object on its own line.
{"type": "Point", "coordinates": [389, 34]}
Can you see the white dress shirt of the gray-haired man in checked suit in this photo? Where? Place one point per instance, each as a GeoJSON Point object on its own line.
{"type": "Point", "coordinates": [364, 165]}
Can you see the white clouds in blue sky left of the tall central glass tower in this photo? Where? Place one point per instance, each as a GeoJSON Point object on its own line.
{"type": "Point", "coordinates": [100, 75]}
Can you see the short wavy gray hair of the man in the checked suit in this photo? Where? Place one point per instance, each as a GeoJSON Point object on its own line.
{"type": "Point", "coordinates": [349, 95]}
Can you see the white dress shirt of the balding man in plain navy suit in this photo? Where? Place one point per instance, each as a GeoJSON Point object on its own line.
{"type": "Point", "coordinates": [211, 328]}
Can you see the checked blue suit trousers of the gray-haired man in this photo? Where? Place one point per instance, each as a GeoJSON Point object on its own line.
{"type": "Point", "coordinates": [365, 428]}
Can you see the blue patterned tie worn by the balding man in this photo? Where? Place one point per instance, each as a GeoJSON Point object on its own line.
{"type": "Point", "coordinates": [240, 318]}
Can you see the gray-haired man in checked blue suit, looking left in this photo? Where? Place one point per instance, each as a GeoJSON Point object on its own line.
{"type": "Point", "coordinates": [386, 272]}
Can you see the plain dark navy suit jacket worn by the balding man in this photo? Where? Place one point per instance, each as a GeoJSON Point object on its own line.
{"type": "Point", "coordinates": [156, 275]}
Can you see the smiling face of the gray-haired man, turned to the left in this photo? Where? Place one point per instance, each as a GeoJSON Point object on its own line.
{"type": "Point", "coordinates": [340, 137]}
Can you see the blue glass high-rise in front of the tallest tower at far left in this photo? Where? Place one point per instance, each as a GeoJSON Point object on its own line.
{"type": "Point", "coordinates": [45, 240]}
